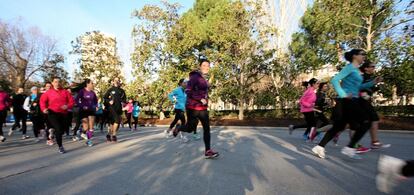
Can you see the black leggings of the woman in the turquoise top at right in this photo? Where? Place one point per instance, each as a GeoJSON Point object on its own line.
{"type": "Point", "coordinates": [352, 112]}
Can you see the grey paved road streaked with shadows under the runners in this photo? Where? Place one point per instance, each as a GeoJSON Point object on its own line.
{"type": "Point", "coordinates": [253, 161]}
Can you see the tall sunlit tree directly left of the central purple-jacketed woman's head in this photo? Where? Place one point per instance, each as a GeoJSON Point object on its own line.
{"type": "Point", "coordinates": [154, 64]}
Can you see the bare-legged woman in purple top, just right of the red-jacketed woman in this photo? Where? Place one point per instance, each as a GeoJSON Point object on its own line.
{"type": "Point", "coordinates": [87, 103]}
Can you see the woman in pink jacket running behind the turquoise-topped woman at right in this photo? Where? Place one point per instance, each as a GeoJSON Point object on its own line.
{"type": "Point", "coordinates": [307, 104]}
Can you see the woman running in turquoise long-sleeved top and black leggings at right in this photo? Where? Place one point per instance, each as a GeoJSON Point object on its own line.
{"type": "Point", "coordinates": [349, 109]}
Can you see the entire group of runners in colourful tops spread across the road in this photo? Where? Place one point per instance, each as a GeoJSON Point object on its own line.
{"type": "Point", "coordinates": [51, 110]}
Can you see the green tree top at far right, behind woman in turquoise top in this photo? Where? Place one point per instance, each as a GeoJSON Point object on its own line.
{"type": "Point", "coordinates": [331, 26]}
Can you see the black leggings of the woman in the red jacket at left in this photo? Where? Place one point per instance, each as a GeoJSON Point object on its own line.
{"type": "Point", "coordinates": [56, 120]}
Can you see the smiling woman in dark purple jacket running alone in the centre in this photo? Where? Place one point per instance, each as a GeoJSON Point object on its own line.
{"type": "Point", "coordinates": [197, 105]}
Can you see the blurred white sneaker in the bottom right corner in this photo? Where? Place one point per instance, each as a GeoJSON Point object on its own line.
{"type": "Point", "coordinates": [389, 169]}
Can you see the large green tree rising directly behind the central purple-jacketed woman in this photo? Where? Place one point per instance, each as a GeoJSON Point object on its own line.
{"type": "Point", "coordinates": [226, 32]}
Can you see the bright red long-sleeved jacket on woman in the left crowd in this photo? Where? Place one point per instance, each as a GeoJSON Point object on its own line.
{"type": "Point", "coordinates": [54, 99]}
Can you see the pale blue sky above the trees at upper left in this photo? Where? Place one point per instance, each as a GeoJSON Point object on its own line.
{"type": "Point", "coordinates": [64, 20]}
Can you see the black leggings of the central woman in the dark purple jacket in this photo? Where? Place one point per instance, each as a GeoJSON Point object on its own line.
{"type": "Point", "coordinates": [193, 117]}
